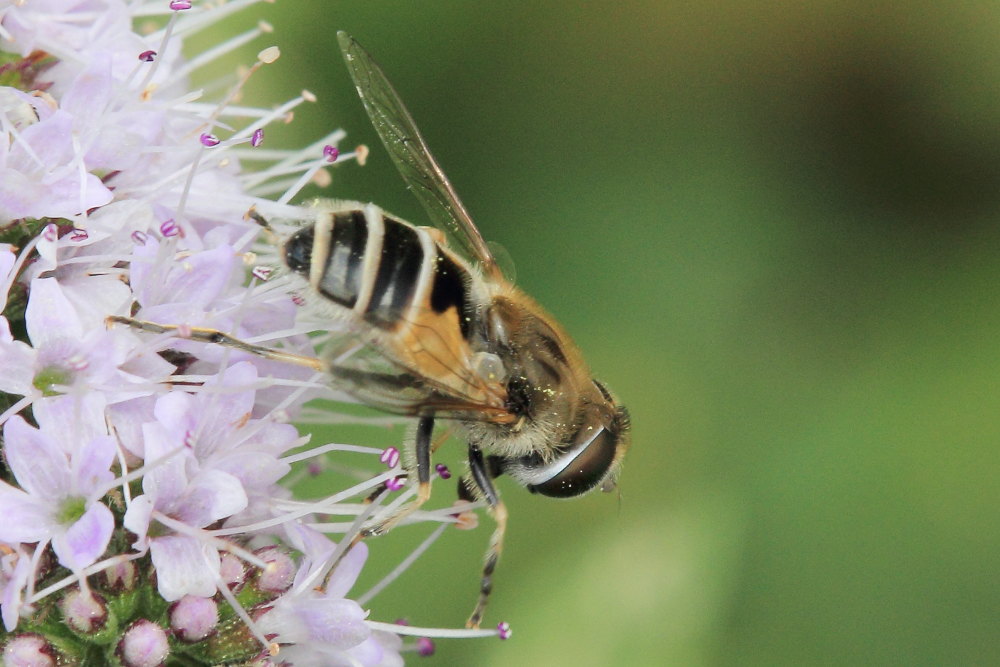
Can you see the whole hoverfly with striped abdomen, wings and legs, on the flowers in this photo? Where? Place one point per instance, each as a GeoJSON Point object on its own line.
{"type": "Point", "coordinates": [440, 333]}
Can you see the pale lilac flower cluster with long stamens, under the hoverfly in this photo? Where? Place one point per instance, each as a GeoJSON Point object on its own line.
{"type": "Point", "coordinates": [144, 514]}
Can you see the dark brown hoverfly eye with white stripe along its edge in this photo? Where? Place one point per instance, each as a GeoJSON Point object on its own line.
{"type": "Point", "coordinates": [580, 468]}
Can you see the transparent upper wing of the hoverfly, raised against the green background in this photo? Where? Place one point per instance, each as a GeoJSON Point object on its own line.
{"type": "Point", "coordinates": [418, 167]}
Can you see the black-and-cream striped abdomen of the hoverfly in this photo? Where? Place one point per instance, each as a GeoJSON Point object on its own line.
{"type": "Point", "coordinates": [383, 269]}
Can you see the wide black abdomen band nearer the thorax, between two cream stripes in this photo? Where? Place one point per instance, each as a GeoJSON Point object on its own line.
{"type": "Point", "coordinates": [398, 271]}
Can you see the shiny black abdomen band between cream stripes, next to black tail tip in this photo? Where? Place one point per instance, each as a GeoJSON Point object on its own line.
{"type": "Point", "coordinates": [341, 281]}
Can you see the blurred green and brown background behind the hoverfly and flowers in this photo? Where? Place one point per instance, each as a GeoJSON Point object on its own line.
{"type": "Point", "coordinates": [773, 229]}
